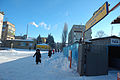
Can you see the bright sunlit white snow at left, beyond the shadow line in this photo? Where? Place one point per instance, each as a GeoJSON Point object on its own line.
{"type": "Point", "coordinates": [13, 54]}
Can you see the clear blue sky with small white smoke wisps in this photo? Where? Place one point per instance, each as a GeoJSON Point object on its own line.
{"type": "Point", "coordinates": [48, 16]}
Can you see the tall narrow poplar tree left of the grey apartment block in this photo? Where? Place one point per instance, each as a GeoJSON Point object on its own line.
{"type": "Point", "coordinates": [64, 35]}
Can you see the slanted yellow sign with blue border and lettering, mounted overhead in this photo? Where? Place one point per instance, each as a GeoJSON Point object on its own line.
{"type": "Point", "coordinates": [97, 16]}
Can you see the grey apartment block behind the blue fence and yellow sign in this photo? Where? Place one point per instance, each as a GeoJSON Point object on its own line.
{"type": "Point", "coordinates": [76, 33]}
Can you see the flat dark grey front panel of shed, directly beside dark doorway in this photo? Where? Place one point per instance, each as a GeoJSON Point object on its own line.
{"type": "Point", "coordinates": [97, 60]}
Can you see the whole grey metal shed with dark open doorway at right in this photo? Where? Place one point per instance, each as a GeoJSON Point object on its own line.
{"type": "Point", "coordinates": [97, 57]}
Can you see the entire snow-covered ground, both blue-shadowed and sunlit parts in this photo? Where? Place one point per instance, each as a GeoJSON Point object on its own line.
{"type": "Point", "coordinates": [20, 65]}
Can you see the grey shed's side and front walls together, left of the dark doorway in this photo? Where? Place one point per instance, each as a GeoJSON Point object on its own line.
{"type": "Point", "coordinates": [92, 60]}
